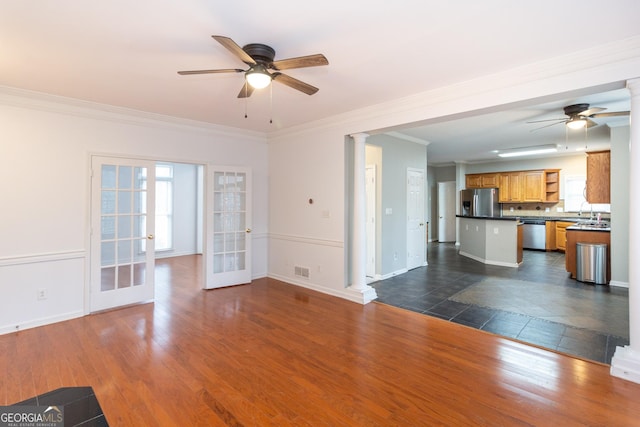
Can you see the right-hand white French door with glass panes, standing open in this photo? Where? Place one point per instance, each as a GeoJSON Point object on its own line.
{"type": "Point", "coordinates": [228, 240]}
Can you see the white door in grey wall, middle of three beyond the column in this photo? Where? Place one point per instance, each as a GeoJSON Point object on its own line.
{"type": "Point", "coordinates": [416, 238]}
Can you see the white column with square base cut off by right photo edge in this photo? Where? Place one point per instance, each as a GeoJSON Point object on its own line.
{"type": "Point", "coordinates": [626, 360]}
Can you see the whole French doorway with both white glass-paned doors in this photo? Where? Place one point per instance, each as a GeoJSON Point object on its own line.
{"type": "Point", "coordinates": [125, 204]}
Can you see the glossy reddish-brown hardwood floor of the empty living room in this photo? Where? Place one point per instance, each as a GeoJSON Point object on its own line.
{"type": "Point", "coordinates": [274, 354]}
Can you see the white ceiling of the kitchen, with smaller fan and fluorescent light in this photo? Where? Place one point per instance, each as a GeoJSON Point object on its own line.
{"type": "Point", "coordinates": [476, 138]}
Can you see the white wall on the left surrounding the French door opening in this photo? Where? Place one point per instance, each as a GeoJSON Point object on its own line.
{"type": "Point", "coordinates": [44, 182]}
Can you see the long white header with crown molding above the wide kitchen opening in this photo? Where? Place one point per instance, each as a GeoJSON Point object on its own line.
{"type": "Point", "coordinates": [609, 64]}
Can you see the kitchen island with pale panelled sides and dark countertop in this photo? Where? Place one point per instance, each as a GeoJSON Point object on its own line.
{"type": "Point", "coordinates": [491, 240]}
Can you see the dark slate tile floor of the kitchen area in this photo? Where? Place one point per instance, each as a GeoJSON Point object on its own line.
{"type": "Point", "coordinates": [430, 290]}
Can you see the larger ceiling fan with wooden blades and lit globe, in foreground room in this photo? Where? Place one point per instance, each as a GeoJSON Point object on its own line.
{"type": "Point", "coordinates": [260, 59]}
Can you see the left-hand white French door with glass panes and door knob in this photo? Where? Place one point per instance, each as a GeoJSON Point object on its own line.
{"type": "Point", "coordinates": [122, 228]}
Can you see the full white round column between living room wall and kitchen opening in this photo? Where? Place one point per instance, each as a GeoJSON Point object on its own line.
{"type": "Point", "coordinates": [363, 292]}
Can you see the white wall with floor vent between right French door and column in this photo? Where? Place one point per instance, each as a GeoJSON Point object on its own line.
{"type": "Point", "coordinates": [300, 233]}
